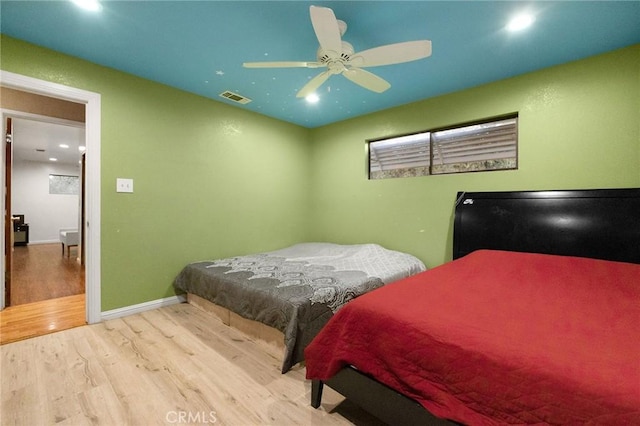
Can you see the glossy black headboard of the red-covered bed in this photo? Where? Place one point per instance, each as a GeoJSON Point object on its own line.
{"type": "Point", "coordinates": [602, 223]}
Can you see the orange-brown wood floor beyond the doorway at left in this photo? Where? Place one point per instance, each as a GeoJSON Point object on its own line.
{"type": "Point", "coordinates": [47, 293]}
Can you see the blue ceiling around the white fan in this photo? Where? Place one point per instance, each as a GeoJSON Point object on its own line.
{"type": "Point", "coordinates": [199, 46]}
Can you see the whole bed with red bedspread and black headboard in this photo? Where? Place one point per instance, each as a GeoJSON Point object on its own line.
{"type": "Point", "coordinates": [535, 321]}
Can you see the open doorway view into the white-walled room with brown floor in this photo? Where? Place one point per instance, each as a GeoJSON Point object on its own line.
{"type": "Point", "coordinates": [46, 197]}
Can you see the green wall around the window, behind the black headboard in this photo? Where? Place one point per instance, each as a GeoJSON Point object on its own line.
{"type": "Point", "coordinates": [579, 127]}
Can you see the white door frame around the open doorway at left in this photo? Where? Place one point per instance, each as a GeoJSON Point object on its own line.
{"type": "Point", "coordinates": [91, 227]}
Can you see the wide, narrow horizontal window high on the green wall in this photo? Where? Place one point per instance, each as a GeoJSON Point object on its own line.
{"type": "Point", "coordinates": [483, 146]}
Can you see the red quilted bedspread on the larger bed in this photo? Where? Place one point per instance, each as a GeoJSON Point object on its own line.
{"type": "Point", "coordinates": [499, 337]}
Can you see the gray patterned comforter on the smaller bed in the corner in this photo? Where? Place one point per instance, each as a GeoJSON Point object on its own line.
{"type": "Point", "coordinates": [297, 289]}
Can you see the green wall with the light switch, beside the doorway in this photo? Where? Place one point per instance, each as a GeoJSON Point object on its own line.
{"type": "Point", "coordinates": [210, 180]}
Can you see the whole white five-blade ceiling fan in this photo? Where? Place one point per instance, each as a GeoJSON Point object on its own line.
{"type": "Point", "coordinates": [338, 56]}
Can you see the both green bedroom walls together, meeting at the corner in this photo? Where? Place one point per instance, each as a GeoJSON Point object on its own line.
{"type": "Point", "coordinates": [214, 180]}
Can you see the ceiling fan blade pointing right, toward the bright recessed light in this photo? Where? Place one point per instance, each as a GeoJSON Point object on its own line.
{"type": "Point", "coordinates": [392, 54]}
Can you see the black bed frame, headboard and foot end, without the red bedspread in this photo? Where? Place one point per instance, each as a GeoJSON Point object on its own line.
{"type": "Point", "coordinates": [601, 224]}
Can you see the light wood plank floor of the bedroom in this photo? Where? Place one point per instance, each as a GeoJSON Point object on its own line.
{"type": "Point", "coordinates": [173, 365]}
